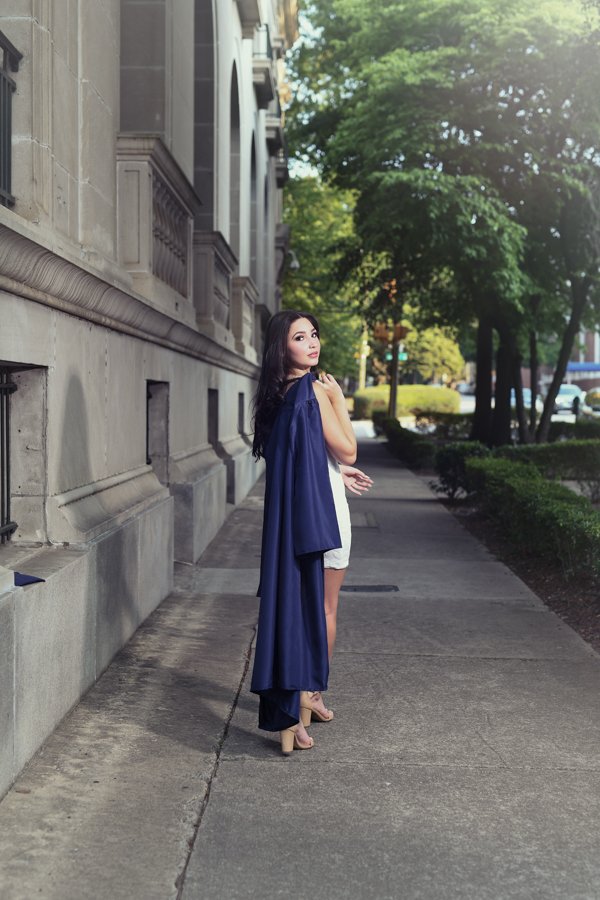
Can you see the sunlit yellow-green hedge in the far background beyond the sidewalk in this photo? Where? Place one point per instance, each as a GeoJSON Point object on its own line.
{"type": "Point", "coordinates": [411, 399]}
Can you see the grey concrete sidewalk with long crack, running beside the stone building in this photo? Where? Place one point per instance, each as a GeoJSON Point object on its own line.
{"type": "Point", "coordinates": [463, 761]}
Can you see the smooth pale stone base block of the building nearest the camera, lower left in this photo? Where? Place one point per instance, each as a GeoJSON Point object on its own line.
{"type": "Point", "coordinates": [58, 636]}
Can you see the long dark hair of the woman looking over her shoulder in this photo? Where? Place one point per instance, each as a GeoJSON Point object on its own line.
{"type": "Point", "coordinates": [273, 374]}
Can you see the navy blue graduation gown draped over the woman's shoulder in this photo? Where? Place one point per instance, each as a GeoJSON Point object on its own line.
{"type": "Point", "coordinates": [299, 525]}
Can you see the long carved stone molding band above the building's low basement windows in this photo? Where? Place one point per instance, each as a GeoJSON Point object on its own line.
{"type": "Point", "coordinates": [36, 273]}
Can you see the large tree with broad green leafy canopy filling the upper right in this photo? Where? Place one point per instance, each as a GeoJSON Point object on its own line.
{"type": "Point", "coordinates": [469, 133]}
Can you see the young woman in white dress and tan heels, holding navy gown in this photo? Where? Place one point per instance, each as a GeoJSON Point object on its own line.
{"type": "Point", "coordinates": [303, 431]}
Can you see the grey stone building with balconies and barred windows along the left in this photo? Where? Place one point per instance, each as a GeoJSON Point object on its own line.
{"type": "Point", "coordinates": [141, 161]}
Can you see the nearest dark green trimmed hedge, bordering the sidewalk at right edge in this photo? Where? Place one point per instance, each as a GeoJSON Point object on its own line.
{"type": "Point", "coordinates": [542, 518]}
